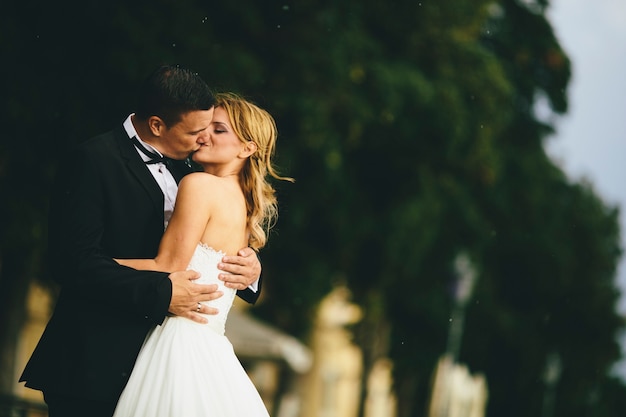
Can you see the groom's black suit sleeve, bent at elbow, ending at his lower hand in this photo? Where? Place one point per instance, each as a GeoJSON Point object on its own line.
{"type": "Point", "coordinates": [78, 261]}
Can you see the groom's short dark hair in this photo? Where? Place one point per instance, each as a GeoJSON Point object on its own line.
{"type": "Point", "coordinates": [170, 91]}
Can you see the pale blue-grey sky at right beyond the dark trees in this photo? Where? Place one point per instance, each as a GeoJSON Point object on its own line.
{"type": "Point", "coordinates": [590, 141]}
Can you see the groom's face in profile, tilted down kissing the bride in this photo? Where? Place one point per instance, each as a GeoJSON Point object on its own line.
{"type": "Point", "coordinates": [184, 137]}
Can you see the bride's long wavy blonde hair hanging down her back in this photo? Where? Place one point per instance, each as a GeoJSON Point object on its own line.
{"type": "Point", "coordinates": [253, 124]}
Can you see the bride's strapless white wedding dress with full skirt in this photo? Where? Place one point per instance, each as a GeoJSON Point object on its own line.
{"type": "Point", "coordinates": [187, 369]}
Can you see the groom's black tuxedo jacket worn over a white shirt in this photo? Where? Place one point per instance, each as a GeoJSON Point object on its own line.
{"type": "Point", "coordinates": [105, 204]}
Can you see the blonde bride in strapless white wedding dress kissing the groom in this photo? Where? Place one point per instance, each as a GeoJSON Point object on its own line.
{"type": "Point", "coordinates": [186, 368]}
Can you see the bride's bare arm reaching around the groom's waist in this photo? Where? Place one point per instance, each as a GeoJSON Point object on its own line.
{"type": "Point", "coordinates": [184, 231]}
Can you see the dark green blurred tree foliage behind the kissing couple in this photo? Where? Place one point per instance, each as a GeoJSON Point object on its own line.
{"type": "Point", "coordinates": [412, 132]}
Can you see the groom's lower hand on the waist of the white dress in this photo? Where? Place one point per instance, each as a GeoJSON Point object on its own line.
{"type": "Point", "coordinates": [187, 295]}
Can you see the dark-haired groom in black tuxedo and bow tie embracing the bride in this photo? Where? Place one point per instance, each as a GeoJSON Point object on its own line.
{"type": "Point", "coordinates": [113, 198]}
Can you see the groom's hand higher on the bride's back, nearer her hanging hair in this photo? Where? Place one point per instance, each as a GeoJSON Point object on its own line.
{"type": "Point", "coordinates": [242, 270]}
